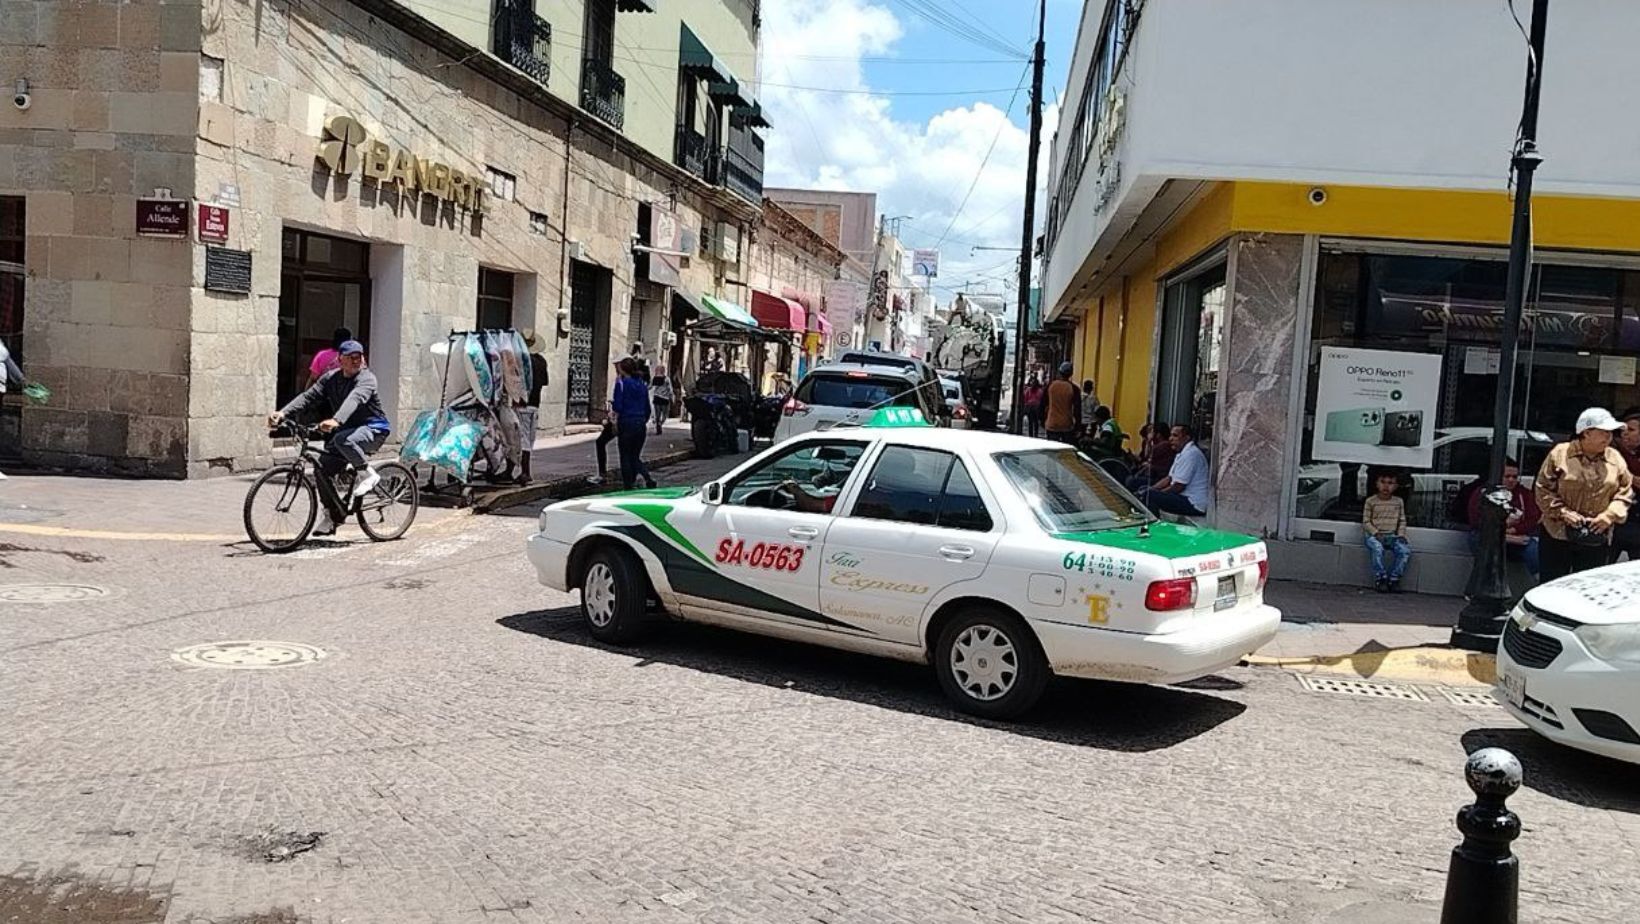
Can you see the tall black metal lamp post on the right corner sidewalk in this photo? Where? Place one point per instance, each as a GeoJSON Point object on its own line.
{"type": "Point", "coordinates": [1482, 621]}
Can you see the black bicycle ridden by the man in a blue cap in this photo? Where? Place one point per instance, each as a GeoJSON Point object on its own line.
{"type": "Point", "coordinates": [288, 500]}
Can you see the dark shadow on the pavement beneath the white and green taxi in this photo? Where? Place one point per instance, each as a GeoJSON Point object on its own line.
{"type": "Point", "coordinates": [1109, 716]}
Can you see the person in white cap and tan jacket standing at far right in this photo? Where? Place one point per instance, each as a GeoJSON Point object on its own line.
{"type": "Point", "coordinates": [1583, 490]}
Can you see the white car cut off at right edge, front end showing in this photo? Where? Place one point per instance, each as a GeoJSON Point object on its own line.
{"type": "Point", "coordinates": [1569, 666]}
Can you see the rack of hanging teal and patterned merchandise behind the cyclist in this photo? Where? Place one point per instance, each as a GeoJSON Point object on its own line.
{"type": "Point", "coordinates": [485, 378]}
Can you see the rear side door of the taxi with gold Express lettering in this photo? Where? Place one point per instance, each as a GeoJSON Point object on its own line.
{"type": "Point", "coordinates": [918, 526]}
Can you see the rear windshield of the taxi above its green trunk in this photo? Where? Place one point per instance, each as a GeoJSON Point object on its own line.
{"type": "Point", "coordinates": [1070, 493]}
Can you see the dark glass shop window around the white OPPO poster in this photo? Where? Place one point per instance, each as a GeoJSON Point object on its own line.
{"type": "Point", "coordinates": [1578, 342]}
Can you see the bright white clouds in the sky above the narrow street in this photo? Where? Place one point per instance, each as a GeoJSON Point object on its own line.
{"type": "Point", "coordinates": [854, 142]}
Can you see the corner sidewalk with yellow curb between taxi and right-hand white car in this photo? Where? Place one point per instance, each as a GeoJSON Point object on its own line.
{"type": "Point", "coordinates": [1370, 636]}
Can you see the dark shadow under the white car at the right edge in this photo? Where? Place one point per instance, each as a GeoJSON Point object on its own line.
{"type": "Point", "coordinates": [1562, 772]}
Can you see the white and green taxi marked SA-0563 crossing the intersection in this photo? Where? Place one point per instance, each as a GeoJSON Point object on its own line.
{"type": "Point", "coordinates": [996, 559]}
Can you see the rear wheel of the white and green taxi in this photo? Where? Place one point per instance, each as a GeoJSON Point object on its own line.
{"type": "Point", "coordinates": [990, 664]}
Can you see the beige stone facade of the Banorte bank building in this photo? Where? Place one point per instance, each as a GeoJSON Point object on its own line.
{"type": "Point", "coordinates": [512, 206]}
